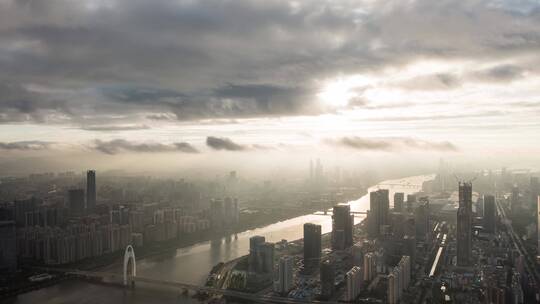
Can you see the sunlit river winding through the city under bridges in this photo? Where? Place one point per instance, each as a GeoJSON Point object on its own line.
{"type": "Point", "coordinates": [192, 264]}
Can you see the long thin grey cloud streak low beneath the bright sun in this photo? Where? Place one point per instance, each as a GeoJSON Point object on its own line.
{"type": "Point", "coordinates": [390, 144]}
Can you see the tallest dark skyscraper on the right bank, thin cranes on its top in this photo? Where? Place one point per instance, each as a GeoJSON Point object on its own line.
{"type": "Point", "coordinates": [464, 223]}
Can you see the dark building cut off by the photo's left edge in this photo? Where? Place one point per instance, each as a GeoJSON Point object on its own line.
{"type": "Point", "coordinates": [8, 247]}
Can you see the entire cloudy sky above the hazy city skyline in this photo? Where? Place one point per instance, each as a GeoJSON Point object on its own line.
{"type": "Point", "coordinates": [114, 84]}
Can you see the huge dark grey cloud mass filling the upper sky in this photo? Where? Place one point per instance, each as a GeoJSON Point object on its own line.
{"type": "Point", "coordinates": [215, 59]}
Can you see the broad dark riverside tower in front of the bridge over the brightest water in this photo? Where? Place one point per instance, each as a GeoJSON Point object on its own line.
{"type": "Point", "coordinates": [342, 224]}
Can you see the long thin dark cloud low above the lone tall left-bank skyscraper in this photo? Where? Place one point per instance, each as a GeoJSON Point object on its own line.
{"type": "Point", "coordinates": [119, 145]}
